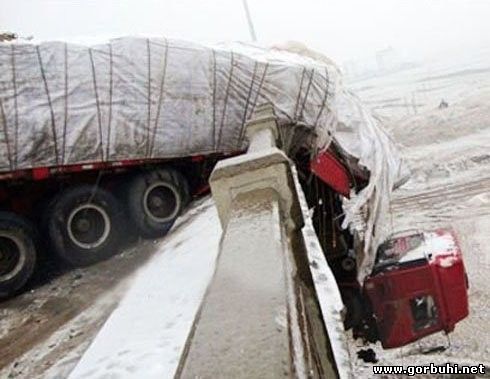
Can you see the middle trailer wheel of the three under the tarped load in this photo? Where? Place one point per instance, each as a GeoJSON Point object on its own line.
{"type": "Point", "coordinates": [84, 225]}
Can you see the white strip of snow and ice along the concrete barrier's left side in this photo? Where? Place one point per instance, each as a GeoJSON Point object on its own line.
{"type": "Point", "coordinates": [146, 334]}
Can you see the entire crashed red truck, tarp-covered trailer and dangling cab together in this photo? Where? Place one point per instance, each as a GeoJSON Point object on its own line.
{"type": "Point", "coordinates": [98, 142]}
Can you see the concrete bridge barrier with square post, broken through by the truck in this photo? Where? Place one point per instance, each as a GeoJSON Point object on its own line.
{"type": "Point", "coordinates": [273, 308]}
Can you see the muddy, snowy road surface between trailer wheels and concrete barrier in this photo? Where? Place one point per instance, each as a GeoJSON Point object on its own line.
{"type": "Point", "coordinates": [45, 331]}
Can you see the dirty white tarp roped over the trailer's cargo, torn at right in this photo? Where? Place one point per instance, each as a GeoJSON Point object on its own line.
{"type": "Point", "coordinates": [133, 98]}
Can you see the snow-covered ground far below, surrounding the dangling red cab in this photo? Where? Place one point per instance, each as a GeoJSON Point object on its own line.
{"type": "Point", "coordinates": [448, 150]}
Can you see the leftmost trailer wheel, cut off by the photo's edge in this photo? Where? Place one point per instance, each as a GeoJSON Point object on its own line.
{"type": "Point", "coordinates": [17, 253]}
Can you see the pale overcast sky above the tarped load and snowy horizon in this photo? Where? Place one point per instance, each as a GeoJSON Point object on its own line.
{"type": "Point", "coordinates": [342, 29]}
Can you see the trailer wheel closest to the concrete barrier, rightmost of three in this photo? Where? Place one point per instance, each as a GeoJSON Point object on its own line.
{"type": "Point", "coordinates": [155, 199]}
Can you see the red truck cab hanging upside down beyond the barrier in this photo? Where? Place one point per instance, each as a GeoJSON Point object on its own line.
{"type": "Point", "coordinates": [418, 287]}
